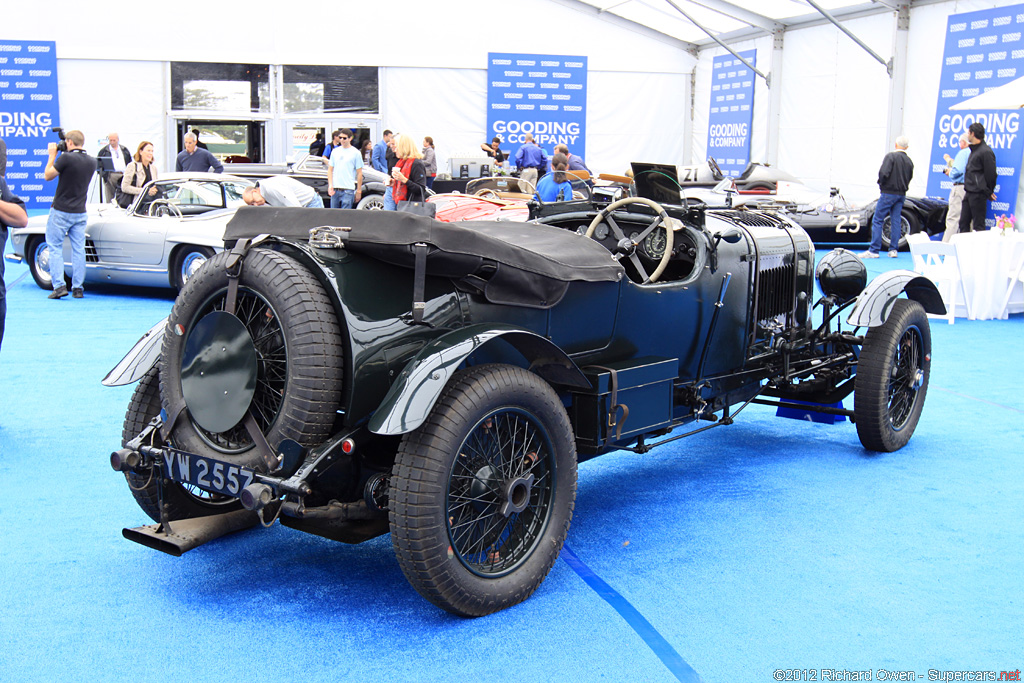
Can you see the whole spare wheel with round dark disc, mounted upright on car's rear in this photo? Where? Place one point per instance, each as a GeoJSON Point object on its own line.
{"type": "Point", "coordinates": [287, 379]}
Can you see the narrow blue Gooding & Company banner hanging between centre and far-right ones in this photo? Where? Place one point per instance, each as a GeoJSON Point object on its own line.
{"type": "Point", "coordinates": [732, 112]}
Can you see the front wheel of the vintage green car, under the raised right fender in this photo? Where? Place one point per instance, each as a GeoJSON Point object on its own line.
{"type": "Point", "coordinates": [892, 378]}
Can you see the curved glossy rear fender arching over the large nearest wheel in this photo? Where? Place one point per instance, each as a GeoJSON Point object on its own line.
{"type": "Point", "coordinates": [416, 391]}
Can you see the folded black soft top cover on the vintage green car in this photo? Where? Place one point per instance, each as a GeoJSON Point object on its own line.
{"type": "Point", "coordinates": [525, 265]}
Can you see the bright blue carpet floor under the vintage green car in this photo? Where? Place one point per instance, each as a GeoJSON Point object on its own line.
{"type": "Point", "coordinates": [772, 544]}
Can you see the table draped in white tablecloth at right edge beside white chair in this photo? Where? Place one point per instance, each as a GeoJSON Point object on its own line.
{"type": "Point", "coordinates": [986, 260]}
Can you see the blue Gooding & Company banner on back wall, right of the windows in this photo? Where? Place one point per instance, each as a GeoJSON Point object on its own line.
{"type": "Point", "coordinates": [541, 95]}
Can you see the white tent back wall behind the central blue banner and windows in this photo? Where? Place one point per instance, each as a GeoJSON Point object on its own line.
{"type": "Point", "coordinates": [434, 81]}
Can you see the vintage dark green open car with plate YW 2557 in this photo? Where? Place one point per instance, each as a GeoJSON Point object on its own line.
{"type": "Point", "coordinates": [354, 373]}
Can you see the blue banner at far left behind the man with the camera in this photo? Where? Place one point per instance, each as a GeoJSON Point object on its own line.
{"type": "Point", "coordinates": [29, 108]}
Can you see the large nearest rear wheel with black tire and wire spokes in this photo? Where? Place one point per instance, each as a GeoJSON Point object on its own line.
{"type": "Point", "coordinates": [471, 535]}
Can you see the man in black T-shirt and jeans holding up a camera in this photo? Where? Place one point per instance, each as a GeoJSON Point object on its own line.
{"type": "Point", "coordinates": [68, 216]}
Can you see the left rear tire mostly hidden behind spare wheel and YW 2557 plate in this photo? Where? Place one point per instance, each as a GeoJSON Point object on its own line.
{"type": "Point", "coordinates": [183, 502]}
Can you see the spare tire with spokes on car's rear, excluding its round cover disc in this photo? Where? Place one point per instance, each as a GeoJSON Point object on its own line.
{"type": "Point", "coordinates": [298, 347]}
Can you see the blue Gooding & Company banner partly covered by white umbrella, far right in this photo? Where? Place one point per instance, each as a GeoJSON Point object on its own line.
{"type": "Point", "coordinates": [984, 51]}
